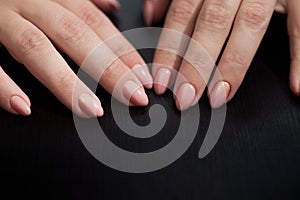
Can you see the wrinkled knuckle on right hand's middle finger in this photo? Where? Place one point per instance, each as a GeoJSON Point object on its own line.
{"type": "Point", "coordinates": [215, 16]}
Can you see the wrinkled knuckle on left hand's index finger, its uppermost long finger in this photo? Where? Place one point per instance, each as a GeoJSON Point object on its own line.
{"type": "Point", "coordinates": [91, 17]}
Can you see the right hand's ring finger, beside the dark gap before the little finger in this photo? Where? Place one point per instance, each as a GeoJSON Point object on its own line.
{"type": "Point", "coordinates": [249, 28]}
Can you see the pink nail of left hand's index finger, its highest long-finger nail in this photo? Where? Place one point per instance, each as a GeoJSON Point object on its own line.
{"type": "Point", "coordinates": [143, 74]}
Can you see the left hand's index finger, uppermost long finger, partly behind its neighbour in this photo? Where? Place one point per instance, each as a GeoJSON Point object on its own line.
{"type": "Point", "coordinates": [112, 37]}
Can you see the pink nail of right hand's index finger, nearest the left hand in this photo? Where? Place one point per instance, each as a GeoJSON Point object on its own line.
{"type": "Point", "coordinates": [162, 80]}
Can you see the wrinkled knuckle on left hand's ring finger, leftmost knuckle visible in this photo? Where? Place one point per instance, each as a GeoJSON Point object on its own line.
{"type": "Point", "coordinates": [31, 42]}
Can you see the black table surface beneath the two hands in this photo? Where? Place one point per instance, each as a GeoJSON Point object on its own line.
{"type": "Point", "coordinates": [257, 156]}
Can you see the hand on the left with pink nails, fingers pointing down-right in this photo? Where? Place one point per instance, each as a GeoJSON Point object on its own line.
{"type": "Point", "coordinates": [28, 29]}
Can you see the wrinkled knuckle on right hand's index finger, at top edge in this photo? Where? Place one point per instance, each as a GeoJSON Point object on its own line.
{"type": "Point", "coordinates": [182, 12]}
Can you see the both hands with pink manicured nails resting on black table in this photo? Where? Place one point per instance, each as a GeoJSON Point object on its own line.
{"type": "Point", "coordinates": [29, 31]}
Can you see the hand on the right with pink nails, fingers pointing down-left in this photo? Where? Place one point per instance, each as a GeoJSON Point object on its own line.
{"type": "Point", "coordinates": [210, 23]}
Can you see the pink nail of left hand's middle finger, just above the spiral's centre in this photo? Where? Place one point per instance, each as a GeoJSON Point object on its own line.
{"type": "Point", "coordinates": [135, 94]}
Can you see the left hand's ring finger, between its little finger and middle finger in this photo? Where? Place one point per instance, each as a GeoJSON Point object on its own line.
{"type": "Point", "coordinates": [36, 52]}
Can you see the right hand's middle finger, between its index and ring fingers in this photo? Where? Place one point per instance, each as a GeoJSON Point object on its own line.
{"type": "Point", "coordinates": [212, 28]}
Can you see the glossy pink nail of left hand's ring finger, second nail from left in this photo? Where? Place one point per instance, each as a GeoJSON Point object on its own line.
{"type": "Point", "coordinates": [90, 106]}
